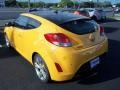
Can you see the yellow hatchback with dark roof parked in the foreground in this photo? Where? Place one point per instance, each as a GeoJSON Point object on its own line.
{"type": "Point", "coordinates": [57, 44]}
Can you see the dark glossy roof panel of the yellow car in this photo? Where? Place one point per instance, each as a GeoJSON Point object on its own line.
{"type": "Point", "coordinates": [57, 16]}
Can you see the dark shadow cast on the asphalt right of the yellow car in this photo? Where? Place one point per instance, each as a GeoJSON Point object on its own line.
{"type": "Point", "coordinates": [109, 69]}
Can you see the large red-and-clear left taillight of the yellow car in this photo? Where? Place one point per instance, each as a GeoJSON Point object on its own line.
{"type": "Point", "coordinates": [58, 39]}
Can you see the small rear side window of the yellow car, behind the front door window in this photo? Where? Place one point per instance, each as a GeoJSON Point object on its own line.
{"type": "Point", "coordinates": [33, 24]}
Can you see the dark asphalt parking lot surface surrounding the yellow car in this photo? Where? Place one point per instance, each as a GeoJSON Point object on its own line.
{"type": "Point", "coordinates": [17, 74]}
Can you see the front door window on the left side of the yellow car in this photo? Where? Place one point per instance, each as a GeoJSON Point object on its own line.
{"type": "Point", "coordinates": [21, 22]}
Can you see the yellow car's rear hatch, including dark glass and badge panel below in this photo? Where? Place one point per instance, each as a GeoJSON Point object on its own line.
{"type": "Point", "coordinates": [85, 33]}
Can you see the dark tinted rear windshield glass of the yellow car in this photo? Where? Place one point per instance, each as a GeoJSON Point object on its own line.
{"type": "Point", "coordinates": [80, 26]}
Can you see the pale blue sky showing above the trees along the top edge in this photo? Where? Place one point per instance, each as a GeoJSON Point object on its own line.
{"type": "Point", "coordinates": [113, 1]}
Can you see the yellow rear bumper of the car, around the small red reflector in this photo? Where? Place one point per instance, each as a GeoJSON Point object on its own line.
{"type": "Point", "coordinates": [72, 60]}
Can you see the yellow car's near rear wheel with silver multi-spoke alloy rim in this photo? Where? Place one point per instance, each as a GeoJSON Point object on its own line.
{"type": "Point", "coordinates": [41, 68]}
